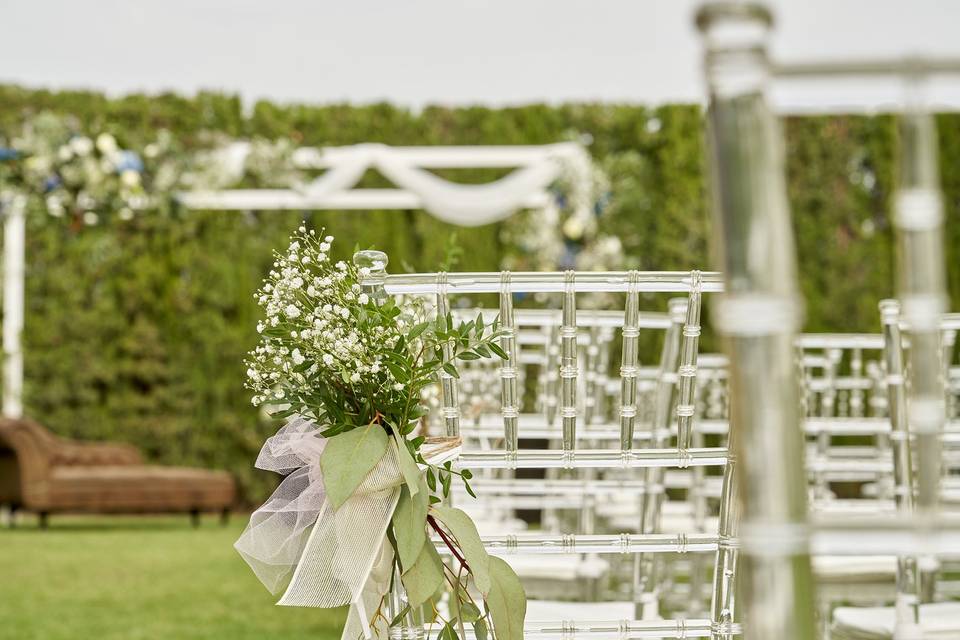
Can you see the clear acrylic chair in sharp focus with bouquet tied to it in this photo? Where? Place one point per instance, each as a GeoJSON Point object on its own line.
{"type": "Point", "coordinates": [597, 468]}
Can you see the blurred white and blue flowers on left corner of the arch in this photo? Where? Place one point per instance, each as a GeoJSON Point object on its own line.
{"type": "Point", "coordinates": [88, 178]}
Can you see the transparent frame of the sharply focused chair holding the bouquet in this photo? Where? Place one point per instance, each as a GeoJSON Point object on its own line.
{"type": "Point", "coordinates": [653, 460]}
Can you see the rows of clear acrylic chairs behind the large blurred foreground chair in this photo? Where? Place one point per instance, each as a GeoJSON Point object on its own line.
{"type": "Point", "coordinates": [587, 454]}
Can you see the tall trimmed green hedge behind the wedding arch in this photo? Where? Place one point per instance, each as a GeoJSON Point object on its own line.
{"type": "Point", "coordinates": [137, 331]}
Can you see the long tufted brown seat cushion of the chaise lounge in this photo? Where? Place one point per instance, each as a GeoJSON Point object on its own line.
{"type": "Point", "coordinates": [138, 489]}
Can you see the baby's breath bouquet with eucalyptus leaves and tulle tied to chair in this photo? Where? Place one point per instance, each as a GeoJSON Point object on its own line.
{"type": "Point", "coordinates": [362, 510]}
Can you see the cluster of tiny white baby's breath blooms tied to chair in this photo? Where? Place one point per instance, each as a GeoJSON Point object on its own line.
{"type": "Point", "coordinates": [312, 335]}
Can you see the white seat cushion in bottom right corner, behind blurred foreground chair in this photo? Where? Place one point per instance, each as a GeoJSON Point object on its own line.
{"type": "Point", "coordinates": [938, 620]}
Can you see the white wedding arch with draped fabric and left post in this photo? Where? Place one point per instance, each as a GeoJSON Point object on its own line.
{"type": "Point", "coordinates": [535, 169]}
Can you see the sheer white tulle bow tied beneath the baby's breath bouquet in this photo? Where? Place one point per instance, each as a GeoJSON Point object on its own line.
{"type": "Point", "coordinates": [320, 556]}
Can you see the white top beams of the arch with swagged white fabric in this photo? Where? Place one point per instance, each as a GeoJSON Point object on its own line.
{"type": "Point", "coordinates": [535, 168]}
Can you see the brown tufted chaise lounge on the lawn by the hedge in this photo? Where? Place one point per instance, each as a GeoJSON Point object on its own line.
{"type": "Point", "coordinates": [46, 474]}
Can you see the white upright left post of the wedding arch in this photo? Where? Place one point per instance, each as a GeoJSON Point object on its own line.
{"type": "Point", "coordinates": [13, 206]}
